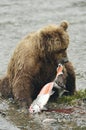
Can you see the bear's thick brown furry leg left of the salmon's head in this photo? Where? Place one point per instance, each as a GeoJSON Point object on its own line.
{"type": "Point", "coordinates": [22, 91]}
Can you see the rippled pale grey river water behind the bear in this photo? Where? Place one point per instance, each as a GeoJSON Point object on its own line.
{"type": "Point", "coordinates": [19, 17]}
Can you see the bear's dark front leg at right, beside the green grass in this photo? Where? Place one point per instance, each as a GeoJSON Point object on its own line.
{"type": "Point", "coordinates": [71, 79]}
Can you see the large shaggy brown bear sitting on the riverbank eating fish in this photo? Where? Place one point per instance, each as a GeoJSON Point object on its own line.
{"type": "Point", "coordinates": [34, 63]}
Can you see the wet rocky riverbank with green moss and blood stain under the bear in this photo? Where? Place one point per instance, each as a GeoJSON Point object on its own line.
{"type": "Point", "coordinates": [68, 113]}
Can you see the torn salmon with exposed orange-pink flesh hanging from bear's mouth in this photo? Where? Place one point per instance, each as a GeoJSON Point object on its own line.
{"type": "Point", "coordinates": [39, 103]}
